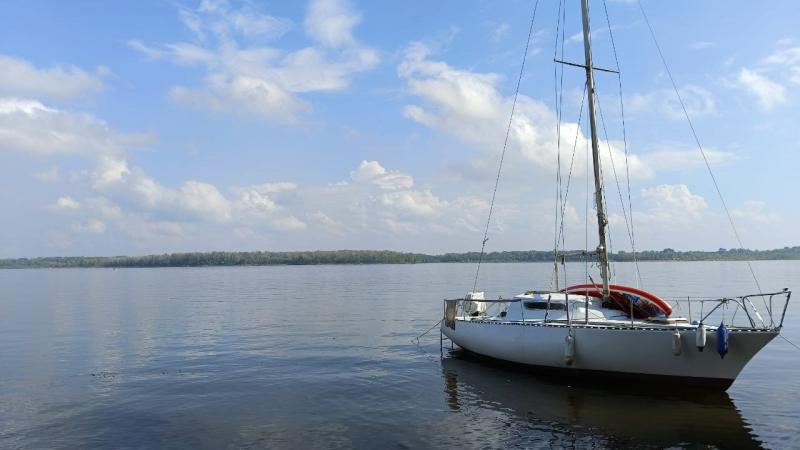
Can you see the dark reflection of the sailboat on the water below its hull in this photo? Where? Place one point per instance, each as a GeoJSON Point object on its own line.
{"type": "Point", "coordinates": [595, 415]}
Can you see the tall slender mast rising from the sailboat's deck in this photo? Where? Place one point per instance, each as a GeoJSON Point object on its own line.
{"type": "Point", "coordinates": [602, 253]}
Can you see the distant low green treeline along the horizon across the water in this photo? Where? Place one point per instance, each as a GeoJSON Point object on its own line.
{"type": "Point", "coordinates": [372, 257]}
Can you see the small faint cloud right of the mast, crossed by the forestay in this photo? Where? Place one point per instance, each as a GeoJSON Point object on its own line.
{"type": "Point", "coordinates": [699, 102]}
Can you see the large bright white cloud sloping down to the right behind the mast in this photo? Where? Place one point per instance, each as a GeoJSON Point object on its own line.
{"type": "Point", "coordinates": [468, 106]}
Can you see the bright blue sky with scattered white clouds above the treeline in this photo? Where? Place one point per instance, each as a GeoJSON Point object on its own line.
{"type": "Point", "coordinates": [174, 126]}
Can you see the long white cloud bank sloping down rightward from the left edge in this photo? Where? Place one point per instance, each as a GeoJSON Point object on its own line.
{"type": "Point", "coordinates": [30, 127]}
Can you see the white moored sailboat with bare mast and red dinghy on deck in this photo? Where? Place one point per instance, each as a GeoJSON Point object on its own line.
{"type": "Point", "coordinates": [620, 333]}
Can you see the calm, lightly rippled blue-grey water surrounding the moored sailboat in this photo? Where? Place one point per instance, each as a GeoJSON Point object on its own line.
{"type": "Point", "coordinates": [321, 357]}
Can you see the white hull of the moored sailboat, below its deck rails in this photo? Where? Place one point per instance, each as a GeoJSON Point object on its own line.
{"type": "Point", "coordinates": [624, 352]}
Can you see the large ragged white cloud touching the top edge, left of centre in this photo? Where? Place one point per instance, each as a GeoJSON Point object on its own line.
{"type": "Point", "coordinates": [245, 77]}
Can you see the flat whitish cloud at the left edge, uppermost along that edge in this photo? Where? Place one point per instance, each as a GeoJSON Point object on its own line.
{"type": "Point", "coordinates": [19, 77]}
